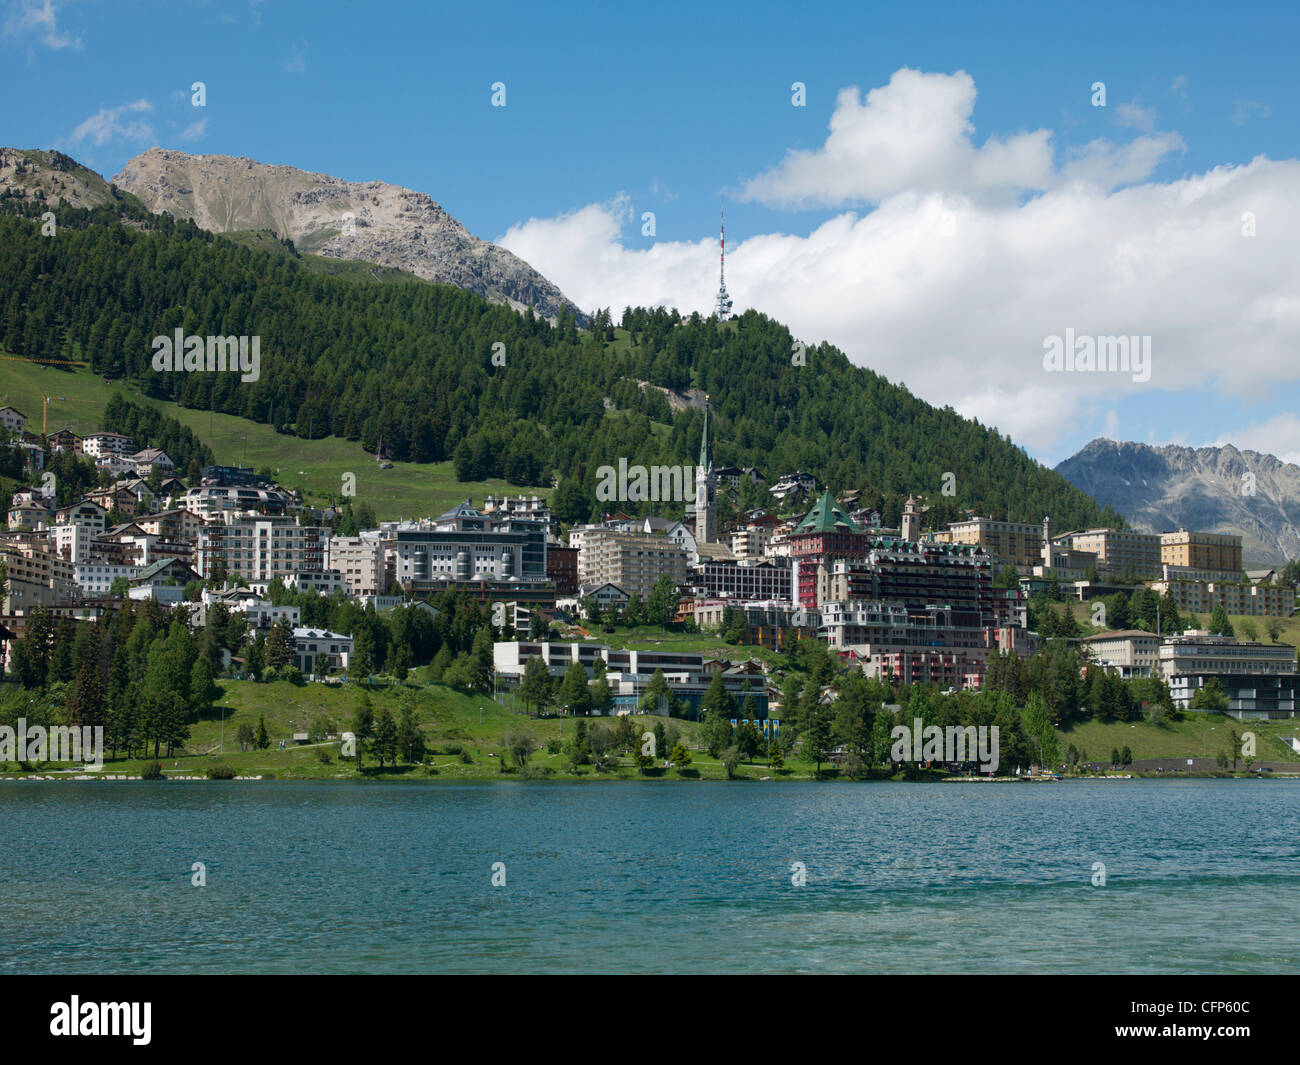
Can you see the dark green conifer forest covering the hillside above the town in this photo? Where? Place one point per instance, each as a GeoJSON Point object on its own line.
{"type": "Point", "coordinates": [410, 369]}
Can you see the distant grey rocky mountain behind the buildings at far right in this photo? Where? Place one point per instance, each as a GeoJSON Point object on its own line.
{"type": "Point", "coordinates": [1211, 490]}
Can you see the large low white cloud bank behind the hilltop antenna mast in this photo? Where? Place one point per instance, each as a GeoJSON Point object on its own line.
{"type": "Point", "coordinates": [955, 292]}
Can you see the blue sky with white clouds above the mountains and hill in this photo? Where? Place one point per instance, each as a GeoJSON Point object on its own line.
{"type": "Point", "coordinates": [1102, 219]}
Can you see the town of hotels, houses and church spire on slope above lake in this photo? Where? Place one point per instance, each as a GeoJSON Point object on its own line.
{"type": "Point", "coordinates": [266, 578]}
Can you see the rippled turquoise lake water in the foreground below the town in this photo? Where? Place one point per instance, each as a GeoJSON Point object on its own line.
{"type": "Point", "coordinates": [1202, 877]}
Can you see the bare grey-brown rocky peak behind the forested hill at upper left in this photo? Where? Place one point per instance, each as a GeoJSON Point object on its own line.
{"type": "Point", "coordinates": [371, 222]}
